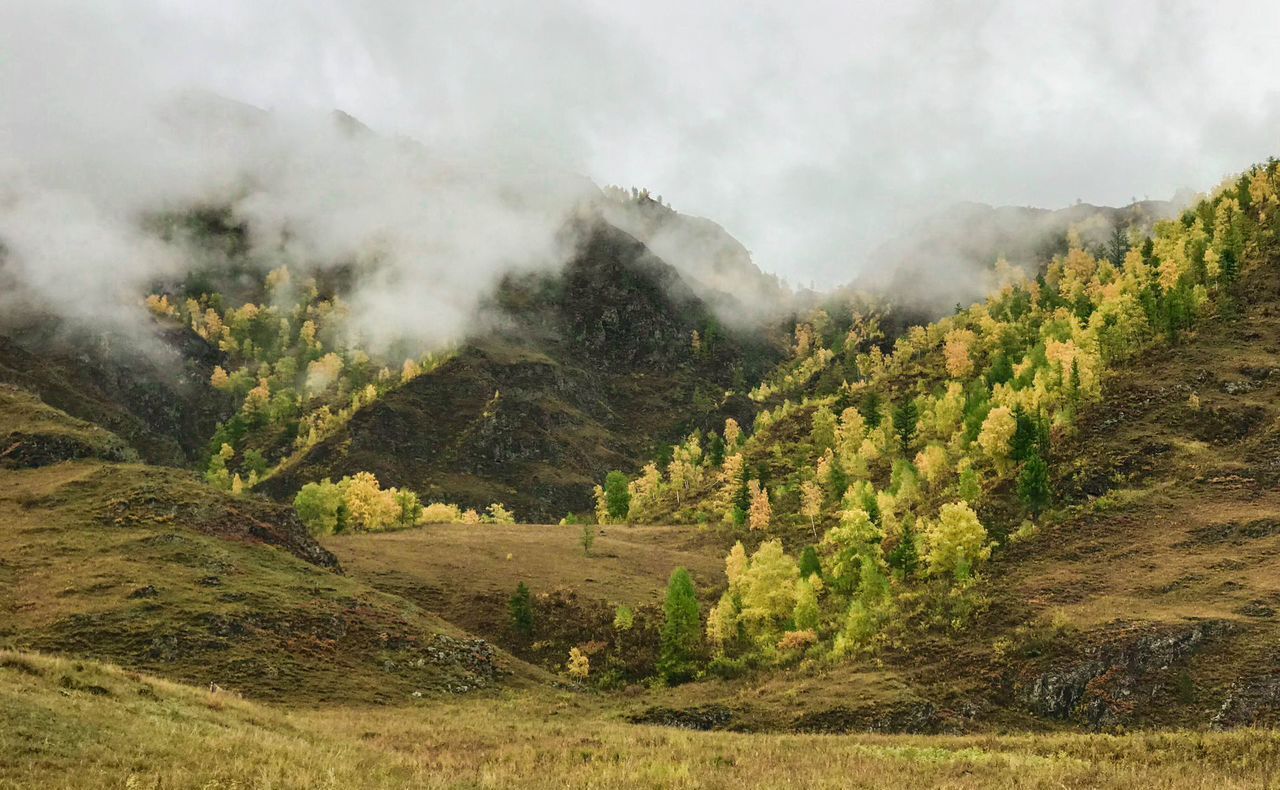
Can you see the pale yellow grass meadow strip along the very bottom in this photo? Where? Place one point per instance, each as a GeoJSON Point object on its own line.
{"type": "Point", "coordinates": [66, 728]}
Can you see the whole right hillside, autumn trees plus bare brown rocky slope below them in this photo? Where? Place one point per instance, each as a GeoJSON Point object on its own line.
{"type": "Point", "coordinates": [892, 520]}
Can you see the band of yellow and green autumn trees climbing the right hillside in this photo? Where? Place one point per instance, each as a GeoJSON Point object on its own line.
{"type": "Point", "coordinates": [871, 512]}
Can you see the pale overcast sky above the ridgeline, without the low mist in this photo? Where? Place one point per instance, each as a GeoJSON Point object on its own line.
{"type": "Point", "coordinates": [812, 131]}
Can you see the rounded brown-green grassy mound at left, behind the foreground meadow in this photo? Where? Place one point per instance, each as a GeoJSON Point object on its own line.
{"type": "Point", "coordinates": [152, 569]}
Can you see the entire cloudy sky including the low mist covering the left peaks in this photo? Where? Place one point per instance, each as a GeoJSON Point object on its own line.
{"type": "Point", "coordinates": [812, 131]}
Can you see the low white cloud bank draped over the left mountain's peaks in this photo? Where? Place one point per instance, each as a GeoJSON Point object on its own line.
{"type": "Point", "coordinates": [314, 190]}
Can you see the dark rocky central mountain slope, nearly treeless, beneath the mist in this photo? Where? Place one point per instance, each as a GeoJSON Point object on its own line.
{"type": "Point", "coordinates": [584, 371]}
